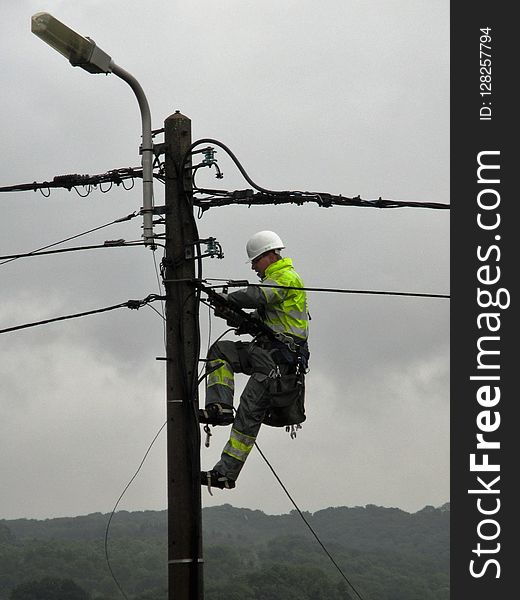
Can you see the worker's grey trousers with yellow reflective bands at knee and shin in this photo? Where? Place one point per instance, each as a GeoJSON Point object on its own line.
{"type": "Point", "coordinates": [253, 360]}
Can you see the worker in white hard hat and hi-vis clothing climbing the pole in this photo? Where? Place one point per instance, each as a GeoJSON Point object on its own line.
{"type": "Point", "coordinates": [276, 363]}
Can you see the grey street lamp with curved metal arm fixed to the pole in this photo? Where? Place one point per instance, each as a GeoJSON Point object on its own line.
{"type": "Point", "coordinates": [82, 52]}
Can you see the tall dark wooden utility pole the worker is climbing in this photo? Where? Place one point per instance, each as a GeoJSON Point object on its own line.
{"type": "Point", "coordinates": [185, 569]}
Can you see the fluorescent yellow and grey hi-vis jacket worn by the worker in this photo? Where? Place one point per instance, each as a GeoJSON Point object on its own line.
{"type": "Point", "coordinates": [283, 310]}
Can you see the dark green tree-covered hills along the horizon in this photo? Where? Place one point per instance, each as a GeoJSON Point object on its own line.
{"type": "Point", "coordinates": [387, 554]}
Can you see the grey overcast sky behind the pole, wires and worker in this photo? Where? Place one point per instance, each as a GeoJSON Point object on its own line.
{"type": "Point", "coordinates": [344, 96]}
